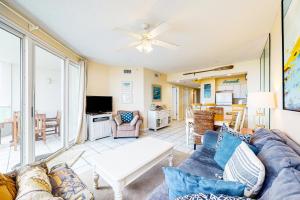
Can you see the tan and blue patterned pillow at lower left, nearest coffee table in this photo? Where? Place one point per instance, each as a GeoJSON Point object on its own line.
{"type": "Point", "coordinates": [67, 185]}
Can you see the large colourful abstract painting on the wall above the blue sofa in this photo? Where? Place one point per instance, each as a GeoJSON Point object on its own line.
{"type": "Point", "coordinates": [291, 54]}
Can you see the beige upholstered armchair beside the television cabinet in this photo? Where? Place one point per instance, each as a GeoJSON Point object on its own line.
{"type": "Point", "coordinates": [122, 129]}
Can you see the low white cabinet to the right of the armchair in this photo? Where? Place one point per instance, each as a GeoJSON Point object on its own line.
{"type": "Point", "coordinates": [159, 119]}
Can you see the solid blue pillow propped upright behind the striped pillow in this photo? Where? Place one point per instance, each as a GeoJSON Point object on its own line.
{"type": "Point", "coordinates": [226, 148]}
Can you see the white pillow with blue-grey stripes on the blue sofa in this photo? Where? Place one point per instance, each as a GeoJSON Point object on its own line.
{"type": "Point", "coordinates": [246, 168]}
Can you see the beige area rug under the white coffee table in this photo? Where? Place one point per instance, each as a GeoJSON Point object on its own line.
{"type": "Point", "coordinates": [137, 190]}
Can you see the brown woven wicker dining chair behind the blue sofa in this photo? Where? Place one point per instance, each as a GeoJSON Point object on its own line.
{"type": "Point", "coordinates": [203, 121]}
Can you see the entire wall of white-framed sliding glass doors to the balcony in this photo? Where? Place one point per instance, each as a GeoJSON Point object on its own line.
{"type": "Point", "coordinates": [39, 99]}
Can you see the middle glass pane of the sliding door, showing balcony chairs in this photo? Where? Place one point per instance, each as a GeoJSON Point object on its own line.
{"type": "Point", "coordinates": [48, 102]}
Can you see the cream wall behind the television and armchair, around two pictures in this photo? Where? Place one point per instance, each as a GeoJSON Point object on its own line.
{"type": "Point", "coordinates": [110, 78]}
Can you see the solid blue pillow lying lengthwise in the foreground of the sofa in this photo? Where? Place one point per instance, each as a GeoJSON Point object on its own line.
{"type": "Point", "coordinates": [181, 183]}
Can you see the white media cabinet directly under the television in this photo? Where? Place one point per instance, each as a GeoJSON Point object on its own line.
{"type": "Point", "coordinates": [99, 126]}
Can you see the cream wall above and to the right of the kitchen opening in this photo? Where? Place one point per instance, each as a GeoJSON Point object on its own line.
{"type": "Point", "coordinates": [251, 68]}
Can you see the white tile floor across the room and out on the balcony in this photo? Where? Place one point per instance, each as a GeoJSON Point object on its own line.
{"type": "Point", "coordinates": [174, 134]}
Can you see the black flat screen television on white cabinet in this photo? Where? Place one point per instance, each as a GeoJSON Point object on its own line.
{"type": "Point", "coordinates": [98, 104]}
